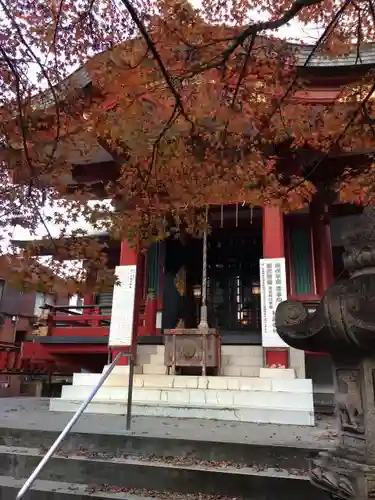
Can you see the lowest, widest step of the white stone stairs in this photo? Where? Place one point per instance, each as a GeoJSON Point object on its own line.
{"type": "Point", "coordinates": [259, 414]}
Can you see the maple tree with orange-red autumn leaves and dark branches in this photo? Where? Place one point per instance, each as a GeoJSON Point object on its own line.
{"type": "Point", "coordinates": [195, 106]}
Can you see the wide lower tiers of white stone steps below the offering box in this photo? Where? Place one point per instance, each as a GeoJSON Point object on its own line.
{"type": "Point", "coordinates": [262, 400]}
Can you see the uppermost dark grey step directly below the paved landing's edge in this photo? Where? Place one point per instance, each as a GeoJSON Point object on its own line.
{"type": "Point", "coordinates": [187, 448]}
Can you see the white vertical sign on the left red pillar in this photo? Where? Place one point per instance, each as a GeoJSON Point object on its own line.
{"type": "Point", "coordinates": [122, 316]}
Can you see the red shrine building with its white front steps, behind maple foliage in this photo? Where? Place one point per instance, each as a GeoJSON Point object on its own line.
{"type": "Point", "coordinates": [198, 315]}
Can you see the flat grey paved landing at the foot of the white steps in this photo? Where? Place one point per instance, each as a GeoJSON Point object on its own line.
{"type": "Point", "coordinates": [33, 413]}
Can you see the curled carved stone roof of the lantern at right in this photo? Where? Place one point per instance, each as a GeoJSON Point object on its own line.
{"type": "Point", "coordinates": [344, 321]}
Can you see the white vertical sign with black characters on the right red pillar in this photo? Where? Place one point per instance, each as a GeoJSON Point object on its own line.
{"type": "Point", "coordinates": [273, 290]}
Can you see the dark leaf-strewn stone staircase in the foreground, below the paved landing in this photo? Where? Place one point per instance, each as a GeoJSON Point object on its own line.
{"type": "Point", "coordinates": [136, 467]}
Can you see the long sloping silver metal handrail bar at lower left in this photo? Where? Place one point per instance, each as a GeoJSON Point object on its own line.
{"type": "Point", "coordinates": [66, 430]}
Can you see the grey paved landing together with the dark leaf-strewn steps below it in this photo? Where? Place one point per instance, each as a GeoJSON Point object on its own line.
{"type": "Point", "coordinates": [178, 455]}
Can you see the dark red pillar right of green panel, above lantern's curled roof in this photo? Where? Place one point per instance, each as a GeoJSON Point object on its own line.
{"type": "Point", "coordinates": [322, 244]}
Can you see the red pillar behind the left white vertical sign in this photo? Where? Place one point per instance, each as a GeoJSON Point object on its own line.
{"type": "Point", "coordinates": [129, 257]}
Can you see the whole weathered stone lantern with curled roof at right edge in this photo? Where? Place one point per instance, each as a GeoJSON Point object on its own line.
{"type": "Point", "coordinates": [343, 326]}
